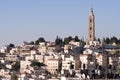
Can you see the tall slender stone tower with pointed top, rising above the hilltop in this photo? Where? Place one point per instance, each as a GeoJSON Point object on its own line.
{"type": "Point", "coordinates": [91, 26]}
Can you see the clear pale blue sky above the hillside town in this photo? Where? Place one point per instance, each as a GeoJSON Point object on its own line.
{"type": "Point", "coordinates": [27, 20]}
